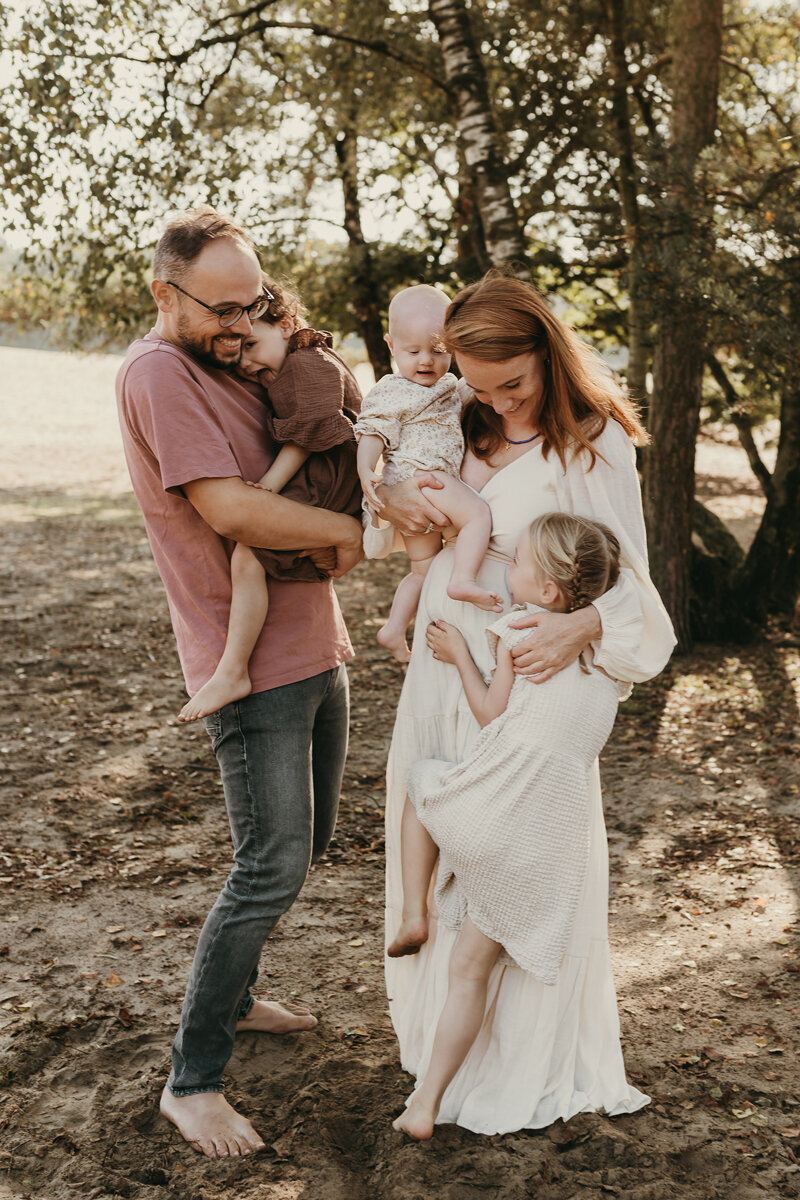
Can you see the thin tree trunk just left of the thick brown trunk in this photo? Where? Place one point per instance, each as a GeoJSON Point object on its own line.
{"type": "Point", "coordinates": [636, 374]}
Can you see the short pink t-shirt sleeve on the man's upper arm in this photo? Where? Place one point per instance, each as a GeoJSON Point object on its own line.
{"type": "Point", "coordinates": [170, 413]}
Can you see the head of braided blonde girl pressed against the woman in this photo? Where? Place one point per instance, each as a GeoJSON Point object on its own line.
{"type": "Point", "coordinates": [564, 563]}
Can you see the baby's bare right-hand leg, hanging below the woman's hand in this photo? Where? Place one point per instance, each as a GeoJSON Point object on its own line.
{"type": "Point", "coordinates": [472, 518]}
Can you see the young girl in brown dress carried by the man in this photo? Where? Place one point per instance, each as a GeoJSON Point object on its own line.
{"type": "Point", "coordinates": [311, 407]}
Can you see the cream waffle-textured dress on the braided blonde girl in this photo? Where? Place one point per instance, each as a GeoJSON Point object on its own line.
{"type": "Point", "coordinates": [513, 820]}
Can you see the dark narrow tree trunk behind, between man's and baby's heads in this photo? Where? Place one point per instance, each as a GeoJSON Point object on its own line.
{"type": "Point", "coordinates": [366, 299]}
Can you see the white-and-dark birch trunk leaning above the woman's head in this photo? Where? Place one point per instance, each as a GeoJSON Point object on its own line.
{"type": "Point", "coordinates": [480, 141]}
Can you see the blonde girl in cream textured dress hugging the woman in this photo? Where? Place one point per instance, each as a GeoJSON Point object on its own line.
{"type": "Point", "coordinates": [515, 815]}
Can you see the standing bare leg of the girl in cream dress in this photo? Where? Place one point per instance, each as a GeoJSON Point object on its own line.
{"type": "Point", "coordinates": [471, 965]}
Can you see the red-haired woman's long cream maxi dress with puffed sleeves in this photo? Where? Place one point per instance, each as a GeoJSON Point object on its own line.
{"type": "Point", "coordinates": [545, 1051]}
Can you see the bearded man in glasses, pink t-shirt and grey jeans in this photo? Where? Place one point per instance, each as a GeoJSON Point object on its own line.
{"type": "Point", "coordinates": [194, 434]}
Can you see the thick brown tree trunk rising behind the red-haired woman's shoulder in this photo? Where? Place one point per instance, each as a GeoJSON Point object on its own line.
{"type": "Point", "coordinates": [684, 247]}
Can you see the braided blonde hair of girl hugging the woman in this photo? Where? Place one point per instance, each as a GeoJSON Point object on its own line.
{"type": "Point", "coordinates": [581, 556]}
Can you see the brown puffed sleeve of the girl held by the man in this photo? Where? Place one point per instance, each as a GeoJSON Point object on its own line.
{"type": "Point", "coordinates": [308, 399]}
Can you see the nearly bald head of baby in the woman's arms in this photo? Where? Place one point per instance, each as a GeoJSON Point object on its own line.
{"type": "Point", "coordinates": [417, 319]}
